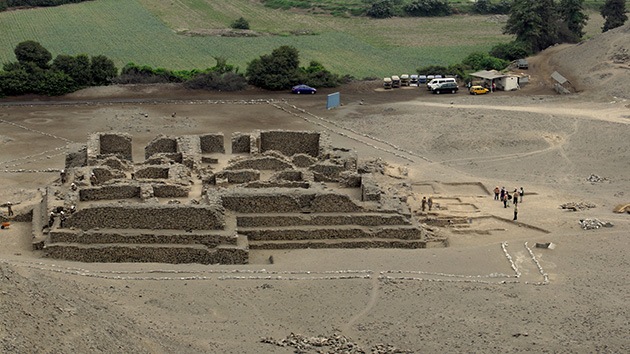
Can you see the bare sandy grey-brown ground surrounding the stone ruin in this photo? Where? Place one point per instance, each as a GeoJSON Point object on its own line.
{"type": "Point", "coordinates": [463, 298]}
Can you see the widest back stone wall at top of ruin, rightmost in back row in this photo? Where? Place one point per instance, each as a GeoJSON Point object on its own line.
{"type": "Point", "coordinates": [290, 142]}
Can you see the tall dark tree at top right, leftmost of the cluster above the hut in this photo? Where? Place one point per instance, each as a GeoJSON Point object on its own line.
{"type": "Point", "coordinates": [534, 23]}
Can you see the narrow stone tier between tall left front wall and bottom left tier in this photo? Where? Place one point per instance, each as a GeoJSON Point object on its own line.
{"type": "Point", "coordinates": [144, 236]}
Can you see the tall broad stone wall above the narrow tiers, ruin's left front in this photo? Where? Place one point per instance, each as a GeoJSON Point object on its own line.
{"type": "Point", "coordinates": [170, 216]}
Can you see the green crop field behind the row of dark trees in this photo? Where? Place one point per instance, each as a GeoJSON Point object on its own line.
{"type": "Point", "coordinates": [150, 32]}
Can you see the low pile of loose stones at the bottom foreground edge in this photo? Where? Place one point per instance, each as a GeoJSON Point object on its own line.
{"type": "Point", "coordinates": [335, 343]}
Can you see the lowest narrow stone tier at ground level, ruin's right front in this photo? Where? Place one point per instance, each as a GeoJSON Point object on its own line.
{"type": "Point", "coordinates": [337, 243]}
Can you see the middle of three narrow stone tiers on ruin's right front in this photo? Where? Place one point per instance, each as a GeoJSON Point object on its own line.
{"type": "Point", "coordinates": [331, 232]}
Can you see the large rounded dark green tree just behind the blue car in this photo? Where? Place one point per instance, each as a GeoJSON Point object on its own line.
{"type": "Point", "coordinates": [276, 71]}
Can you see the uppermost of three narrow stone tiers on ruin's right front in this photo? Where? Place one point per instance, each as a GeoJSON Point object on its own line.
{"type": "Point", "coordinates": [320, 219]}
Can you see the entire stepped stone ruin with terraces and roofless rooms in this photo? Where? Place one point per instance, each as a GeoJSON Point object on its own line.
{"type": "Point", "coordinates": [193, 201]}
